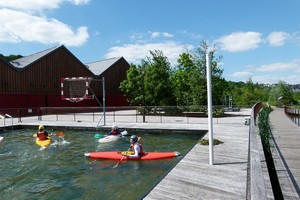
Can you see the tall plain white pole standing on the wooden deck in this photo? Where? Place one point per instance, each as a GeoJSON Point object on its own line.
{"type": "Point", "coordinates": [209, 109]}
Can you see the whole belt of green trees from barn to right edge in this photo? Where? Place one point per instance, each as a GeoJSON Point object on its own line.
{"type": "Point", "coordinates": [155, 83]}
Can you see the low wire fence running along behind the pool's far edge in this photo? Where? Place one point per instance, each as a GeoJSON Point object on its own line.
{"type": "Point", "coordinates": [129, 114]}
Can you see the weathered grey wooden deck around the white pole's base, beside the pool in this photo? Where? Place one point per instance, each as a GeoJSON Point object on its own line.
{"type": "Point", "coordinates": [194, 178]}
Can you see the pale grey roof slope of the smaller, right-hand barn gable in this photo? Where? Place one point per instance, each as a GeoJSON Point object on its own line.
{"type": "Point", "coordinates": [98, 67]}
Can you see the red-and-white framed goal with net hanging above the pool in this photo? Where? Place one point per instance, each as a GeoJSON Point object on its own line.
{"type": "Point", "coordinates": [75, 89]}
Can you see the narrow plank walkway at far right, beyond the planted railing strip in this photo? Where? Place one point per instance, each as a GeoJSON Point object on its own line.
{"type": "Point", "coordinates": [286, 156]}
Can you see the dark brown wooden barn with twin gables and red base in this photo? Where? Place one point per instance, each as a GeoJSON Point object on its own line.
{"type": "Point", "coordinates": [35, 80]}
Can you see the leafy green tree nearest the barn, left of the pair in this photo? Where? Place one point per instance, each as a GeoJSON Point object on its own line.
{"type": "Point", "coordinates": [149, 83]}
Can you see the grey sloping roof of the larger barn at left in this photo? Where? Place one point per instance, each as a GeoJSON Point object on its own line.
{"type": "Point", "coordinates": [26, 60]}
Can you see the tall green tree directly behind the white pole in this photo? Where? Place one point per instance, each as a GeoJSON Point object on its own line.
{"type": "Point", "coordinates": [189, 78]}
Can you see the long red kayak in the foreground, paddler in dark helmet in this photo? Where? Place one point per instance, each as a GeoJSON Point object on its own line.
{"type": "Point", "coordinates": [115, 155]}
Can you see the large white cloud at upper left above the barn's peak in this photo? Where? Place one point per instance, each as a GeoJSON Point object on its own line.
{"type": "Point", "coordinates": [17, 26]}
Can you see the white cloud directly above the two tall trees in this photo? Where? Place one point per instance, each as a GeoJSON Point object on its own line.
{"type": "Point", "coordinates": [133, 53]}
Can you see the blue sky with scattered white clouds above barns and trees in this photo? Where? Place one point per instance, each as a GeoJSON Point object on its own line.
{"type": "Point", "coordinates": [258, 39]}
